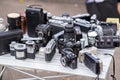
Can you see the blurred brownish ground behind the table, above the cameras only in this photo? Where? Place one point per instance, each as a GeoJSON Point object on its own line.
{"type": "Point", "coordinates": [56, 7]}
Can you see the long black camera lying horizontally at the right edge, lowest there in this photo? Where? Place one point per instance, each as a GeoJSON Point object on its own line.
{"type": "Point", "coordinates": [108, 41]}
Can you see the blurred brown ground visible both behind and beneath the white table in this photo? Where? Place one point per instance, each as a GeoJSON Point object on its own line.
{"type": "Point", "coordinates": [56, 7]}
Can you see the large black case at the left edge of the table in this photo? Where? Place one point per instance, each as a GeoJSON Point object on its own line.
{"type": "Point", "coordinates": [7, 37]}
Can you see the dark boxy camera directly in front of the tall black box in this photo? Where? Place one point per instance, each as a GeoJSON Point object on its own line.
{"type": "Point", "coordinates": [44, 33]}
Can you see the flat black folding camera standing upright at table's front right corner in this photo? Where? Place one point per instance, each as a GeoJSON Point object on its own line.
{"type": "Point", "coordinates": [93, 63]}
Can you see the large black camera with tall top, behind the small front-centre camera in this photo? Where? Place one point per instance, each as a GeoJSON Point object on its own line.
{"type": "Point", "coordinates": [69, 39]}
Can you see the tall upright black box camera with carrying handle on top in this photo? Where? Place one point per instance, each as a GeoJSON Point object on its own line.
{"type": "Point", "coordinates": [34, 16]}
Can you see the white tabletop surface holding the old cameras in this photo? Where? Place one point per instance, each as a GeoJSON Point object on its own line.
{"type": "Point", "coordinates": [55, 65]}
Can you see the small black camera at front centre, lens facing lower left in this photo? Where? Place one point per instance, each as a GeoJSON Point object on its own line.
{"type": "Point", "coordinates": [68, 58]}
